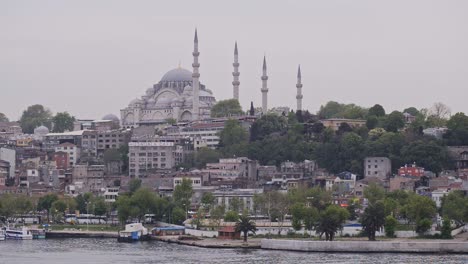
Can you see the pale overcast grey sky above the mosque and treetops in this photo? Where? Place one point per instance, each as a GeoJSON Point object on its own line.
{"type": "Point", "coordinates": [91, 58]}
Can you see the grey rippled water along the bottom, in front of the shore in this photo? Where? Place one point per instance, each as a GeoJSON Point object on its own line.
{"type": "Point", "coordinates": [89, 250]}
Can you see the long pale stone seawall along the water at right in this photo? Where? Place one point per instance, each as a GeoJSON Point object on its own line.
{"type": "Point", "coordinates": [367, 246]}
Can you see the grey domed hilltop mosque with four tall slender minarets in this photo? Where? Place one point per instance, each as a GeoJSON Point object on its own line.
{"type": "Point", "coordinates": [180, 96]}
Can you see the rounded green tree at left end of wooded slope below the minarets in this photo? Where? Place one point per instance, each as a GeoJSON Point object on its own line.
{"type": "Point", "coordinates": [233, 139]}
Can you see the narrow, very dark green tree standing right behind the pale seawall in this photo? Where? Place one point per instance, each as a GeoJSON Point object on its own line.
{"type": "Point", "coordinates": [373, 219]}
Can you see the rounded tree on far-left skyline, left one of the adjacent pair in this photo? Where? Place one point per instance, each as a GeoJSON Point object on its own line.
{"type": "Point", "coordinates": [34, 116]}
